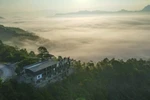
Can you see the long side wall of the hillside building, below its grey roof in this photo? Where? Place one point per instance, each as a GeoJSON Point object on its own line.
{"type": "Point", "coordinates": [51, 71]}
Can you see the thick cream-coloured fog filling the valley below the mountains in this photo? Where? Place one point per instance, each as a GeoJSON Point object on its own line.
{"type": "Point", "coordinates": [92, 37]}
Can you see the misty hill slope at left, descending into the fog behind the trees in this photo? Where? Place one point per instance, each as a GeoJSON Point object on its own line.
{"type": "Point", "coordinates": [21, 38]}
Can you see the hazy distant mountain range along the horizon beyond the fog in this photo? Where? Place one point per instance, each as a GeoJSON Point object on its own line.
{"type": "Point", "coordinates": [145, 9]}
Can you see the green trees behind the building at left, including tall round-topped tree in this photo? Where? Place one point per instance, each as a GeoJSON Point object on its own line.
{"type": "Point", "coordinates": [22, 57]}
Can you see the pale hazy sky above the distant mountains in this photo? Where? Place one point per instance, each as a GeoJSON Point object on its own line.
{"type": "Point", "coordinates": [70, 5]}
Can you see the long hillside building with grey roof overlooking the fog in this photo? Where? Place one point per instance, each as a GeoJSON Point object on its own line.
{"type": "Point", "coordinates": [46, 70]}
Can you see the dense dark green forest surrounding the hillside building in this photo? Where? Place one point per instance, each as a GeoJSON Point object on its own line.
{"type": "Point", "coordinates": [109, 79]}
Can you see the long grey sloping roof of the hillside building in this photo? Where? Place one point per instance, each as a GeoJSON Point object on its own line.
{"type": "Point", "coordinates": [41, 65]}
